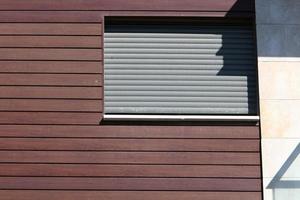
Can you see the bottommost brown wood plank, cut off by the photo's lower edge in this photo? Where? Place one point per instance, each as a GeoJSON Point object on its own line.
{"type": "Point", "coordinates": [125, 195]}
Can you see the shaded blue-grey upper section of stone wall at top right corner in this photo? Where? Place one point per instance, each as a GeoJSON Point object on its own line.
{"type": "Point", "coordinates": [278, 25]}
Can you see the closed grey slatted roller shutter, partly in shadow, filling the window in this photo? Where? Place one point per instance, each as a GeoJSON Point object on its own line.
{"type": "Point", "coordinates": [179, 68]}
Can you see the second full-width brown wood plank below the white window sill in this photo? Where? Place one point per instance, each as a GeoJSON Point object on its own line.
{"type": "Point", "coordinates": [129, 144]}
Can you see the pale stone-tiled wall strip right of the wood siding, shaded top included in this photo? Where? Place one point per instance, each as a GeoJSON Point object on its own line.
{"type": "Point", "coordinates": [278, 35]}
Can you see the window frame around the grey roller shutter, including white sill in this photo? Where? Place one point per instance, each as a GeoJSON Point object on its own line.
{"type": "Point", "coordinates": [179, 117]}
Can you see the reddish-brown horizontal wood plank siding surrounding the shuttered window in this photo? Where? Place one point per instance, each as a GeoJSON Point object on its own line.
{"type": "Point", "coordinates": [52, 143]}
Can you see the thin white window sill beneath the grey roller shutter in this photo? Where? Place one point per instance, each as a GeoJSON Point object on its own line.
{"type": "Point", "coordinates": [182, 117]}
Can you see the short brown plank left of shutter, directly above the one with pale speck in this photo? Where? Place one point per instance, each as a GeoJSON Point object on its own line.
{"type": "Point", "coordinates": [50, 67]}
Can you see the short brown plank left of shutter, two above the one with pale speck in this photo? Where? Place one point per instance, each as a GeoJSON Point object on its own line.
{"type": "Point", "coordinates": [50, 54]}
